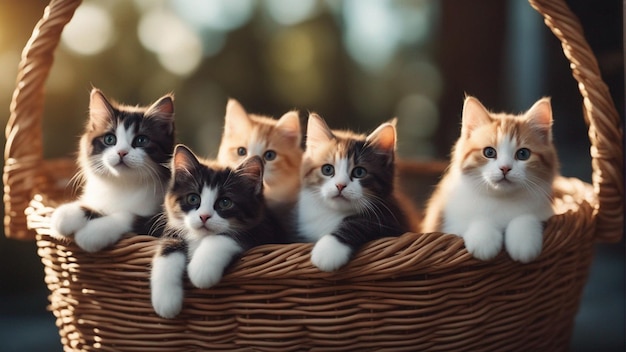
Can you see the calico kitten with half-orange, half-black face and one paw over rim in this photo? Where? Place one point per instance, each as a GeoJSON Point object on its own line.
{"type": "Point", "coordinates": [347, 195]}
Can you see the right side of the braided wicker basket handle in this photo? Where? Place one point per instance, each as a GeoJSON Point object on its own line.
{"type": "Point", "coordinates": [605, 133]}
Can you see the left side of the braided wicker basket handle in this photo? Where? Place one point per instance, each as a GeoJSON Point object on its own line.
{"type": "Point", "coordinates": [23, 154]}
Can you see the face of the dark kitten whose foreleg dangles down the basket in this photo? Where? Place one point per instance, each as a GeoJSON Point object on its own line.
{"type": "Point", "coordinates": [206, 199]}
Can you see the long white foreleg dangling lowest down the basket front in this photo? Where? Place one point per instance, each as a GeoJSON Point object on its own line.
{"type": "Point", "coordinates": [166, 284]}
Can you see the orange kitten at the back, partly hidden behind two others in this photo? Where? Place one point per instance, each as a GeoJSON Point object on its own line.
{"type": "Point", "coordinates": [277, 142]}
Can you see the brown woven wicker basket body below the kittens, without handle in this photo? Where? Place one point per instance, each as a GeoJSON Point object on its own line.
{"type": "Point", "coordinates": [102, 301]}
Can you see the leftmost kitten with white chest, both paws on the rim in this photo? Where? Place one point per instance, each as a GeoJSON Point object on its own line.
{"type": "Point", "coordinates": [122, 156]}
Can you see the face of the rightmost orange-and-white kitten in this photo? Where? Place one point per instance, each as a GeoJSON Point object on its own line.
{"type": "Point", "coordinates": [504, 153]}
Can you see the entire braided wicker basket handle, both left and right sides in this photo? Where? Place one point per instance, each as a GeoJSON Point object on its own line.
{"type": "Point", "coordinates": [24, 155]}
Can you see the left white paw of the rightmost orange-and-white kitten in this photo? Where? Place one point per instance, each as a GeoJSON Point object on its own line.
{"type": "Point", "coordinates": [483, 241]}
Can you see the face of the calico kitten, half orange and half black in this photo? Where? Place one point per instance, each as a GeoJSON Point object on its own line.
{"type": "Point", "coordinates": [347, 172]}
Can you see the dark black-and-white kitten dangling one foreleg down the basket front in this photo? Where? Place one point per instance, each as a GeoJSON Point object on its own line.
{"type": "Point", "coordinates": [214, 214]}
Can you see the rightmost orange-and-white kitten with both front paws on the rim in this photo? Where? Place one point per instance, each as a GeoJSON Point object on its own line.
{"type": "Point", "coordinates": [498, 187]}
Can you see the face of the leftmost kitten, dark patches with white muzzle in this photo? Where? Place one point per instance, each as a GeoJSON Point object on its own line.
{"type": "Point", "coordinates": [128, 142]}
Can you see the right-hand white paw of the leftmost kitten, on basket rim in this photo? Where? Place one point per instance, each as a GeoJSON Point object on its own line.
{"type": "Point", "coordinates": [98, 234]}
